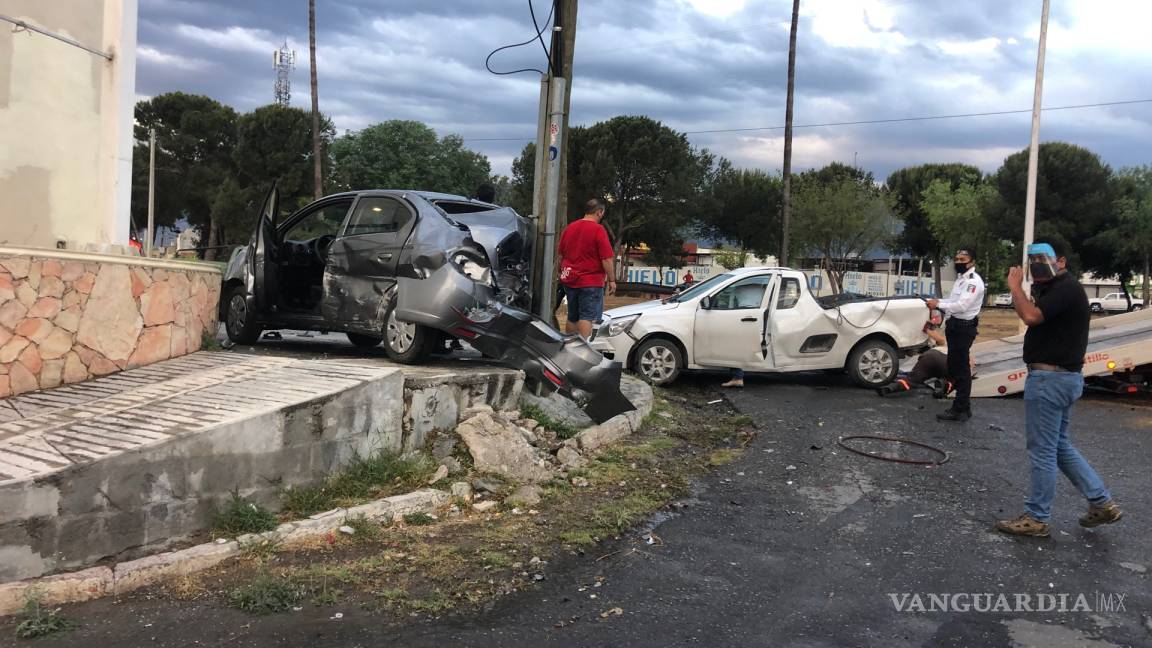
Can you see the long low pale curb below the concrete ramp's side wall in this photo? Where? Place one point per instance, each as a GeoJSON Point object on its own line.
{"type": "Point", "coordinates": [96, 583]}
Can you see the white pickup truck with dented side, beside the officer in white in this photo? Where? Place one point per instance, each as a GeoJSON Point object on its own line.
{"type": "Point", "coordinates": [764, 320]}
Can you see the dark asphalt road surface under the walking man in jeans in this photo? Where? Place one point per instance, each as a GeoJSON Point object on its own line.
{"type": "Point", "coordinates": [800, 544]}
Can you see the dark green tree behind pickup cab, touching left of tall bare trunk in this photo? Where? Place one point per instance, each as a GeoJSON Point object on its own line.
{"type": "Point", "coordinates": [745, 209]}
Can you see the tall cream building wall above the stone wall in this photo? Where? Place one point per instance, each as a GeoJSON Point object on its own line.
{"type": "Point", "coordinates": [66, 124]}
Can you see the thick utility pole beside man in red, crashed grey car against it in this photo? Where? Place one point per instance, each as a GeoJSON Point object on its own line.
{"type": "Point", "coordinates": [551, 156]}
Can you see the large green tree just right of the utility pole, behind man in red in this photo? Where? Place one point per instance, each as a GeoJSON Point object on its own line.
{"type": "Point", "coordinates": [648, 172]}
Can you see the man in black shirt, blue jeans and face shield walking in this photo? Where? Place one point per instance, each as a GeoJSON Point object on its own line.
{"type": "Point", "coordinates": [1058, 321]}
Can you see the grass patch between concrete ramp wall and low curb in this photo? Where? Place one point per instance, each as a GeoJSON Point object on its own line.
{"type": "Point", "coordinates": [365, 479]}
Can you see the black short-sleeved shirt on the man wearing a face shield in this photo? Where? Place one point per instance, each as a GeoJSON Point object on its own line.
{"type": "Point", "coordinates": [1062, 340]}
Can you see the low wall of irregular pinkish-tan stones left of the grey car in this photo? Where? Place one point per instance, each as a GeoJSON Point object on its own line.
{"type": "Point", "coordinates": [66, 318]}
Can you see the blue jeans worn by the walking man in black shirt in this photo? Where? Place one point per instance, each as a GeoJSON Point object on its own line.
{"type": "Point", "coordinates": [1049, 398]}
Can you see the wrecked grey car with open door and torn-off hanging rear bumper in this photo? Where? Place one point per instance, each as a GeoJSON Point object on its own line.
{"type": "Point", "coordinates": [412, 270]}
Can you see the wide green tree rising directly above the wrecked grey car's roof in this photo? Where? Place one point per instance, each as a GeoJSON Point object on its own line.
{"type": "Point", "coordinates": [407, 155]}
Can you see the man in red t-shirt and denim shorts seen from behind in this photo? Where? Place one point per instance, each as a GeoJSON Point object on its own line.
{"type": "Point", "coordinates": [586, 267]}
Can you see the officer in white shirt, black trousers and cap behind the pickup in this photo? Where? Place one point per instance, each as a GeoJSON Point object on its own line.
{"type": "Point", "coordinates": [964, 311]}
